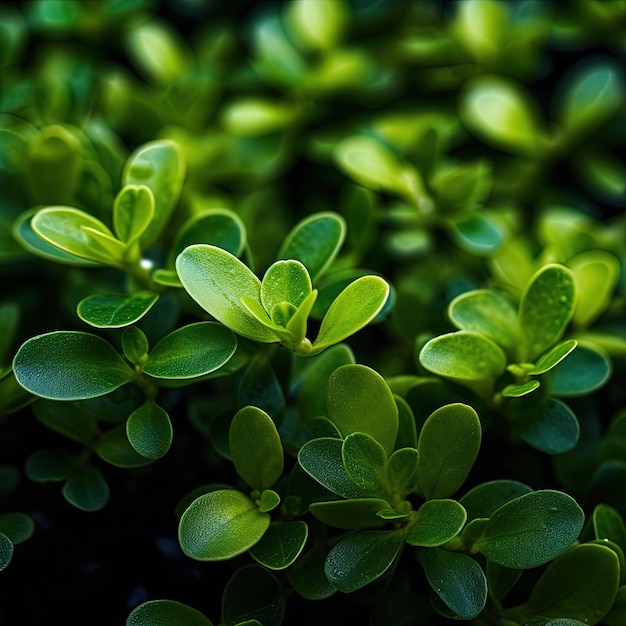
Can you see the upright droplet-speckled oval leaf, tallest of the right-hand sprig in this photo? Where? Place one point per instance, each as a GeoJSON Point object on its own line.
{"type": "Point", "coordinates": [546, 308]}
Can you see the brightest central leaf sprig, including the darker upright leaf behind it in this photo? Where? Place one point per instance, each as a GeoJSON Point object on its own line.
{"type": "Point", "coordinates": [277, 308]}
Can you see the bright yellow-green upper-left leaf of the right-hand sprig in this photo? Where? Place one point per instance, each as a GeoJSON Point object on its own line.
{"type": "Point", "coordinates": [488, 313]}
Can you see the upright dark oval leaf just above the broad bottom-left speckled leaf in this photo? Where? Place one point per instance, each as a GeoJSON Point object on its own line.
{"type": "Point", "coordinates": [255, 448]}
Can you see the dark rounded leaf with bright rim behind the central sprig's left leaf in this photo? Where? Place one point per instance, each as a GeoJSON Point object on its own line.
{"type": "Point", "coordinates": [217, 227]}
